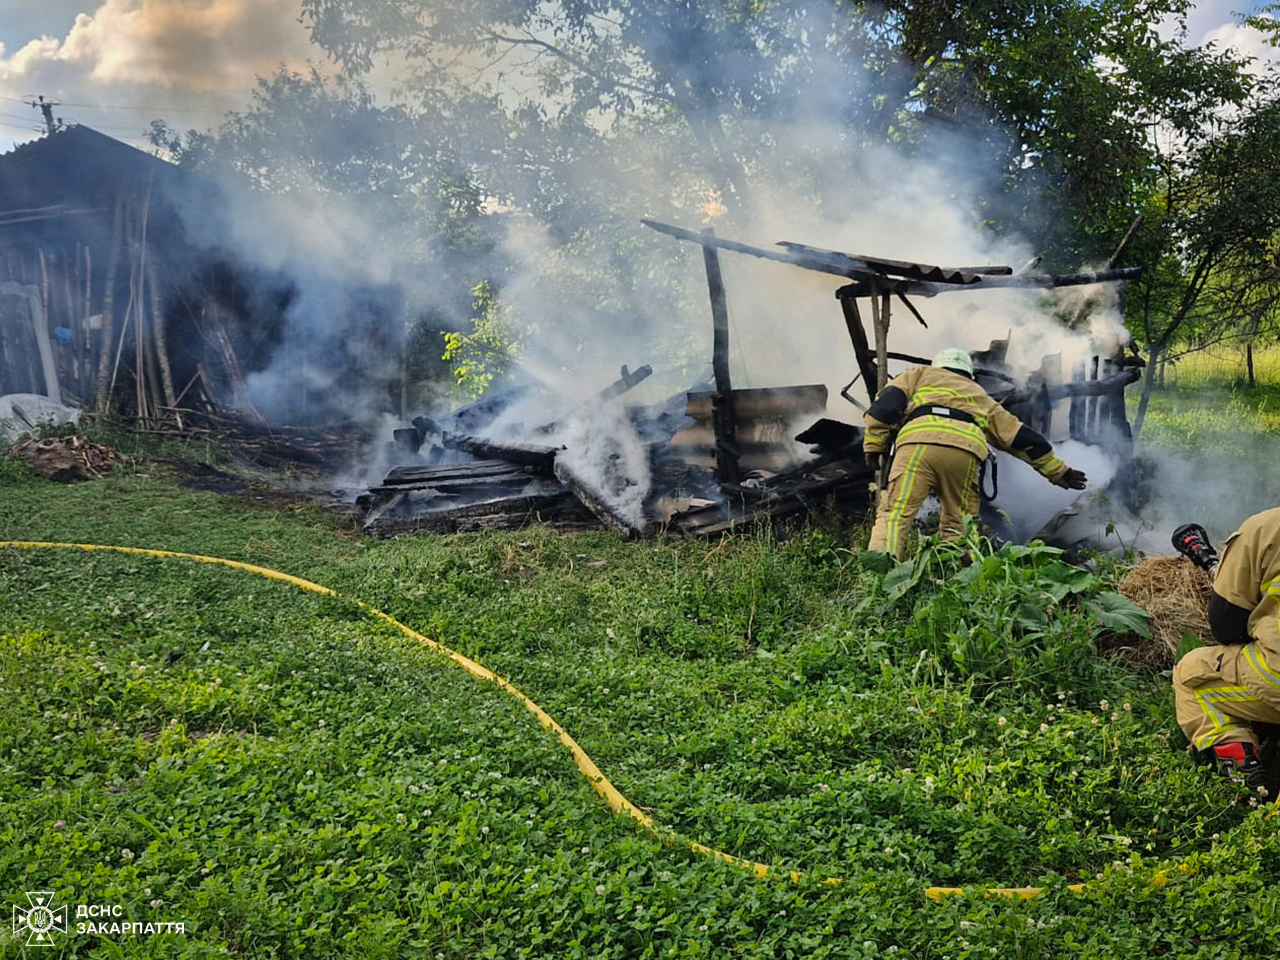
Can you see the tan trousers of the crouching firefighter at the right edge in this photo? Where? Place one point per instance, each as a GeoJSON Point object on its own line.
{"type": "Point", "coordinates": [1220, 689]}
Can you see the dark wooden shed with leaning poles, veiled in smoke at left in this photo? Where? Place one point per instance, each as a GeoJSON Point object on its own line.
{"type": "Point", "coordinates": [122, 290]}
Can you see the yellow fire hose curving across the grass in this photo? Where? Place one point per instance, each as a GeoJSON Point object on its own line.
{"type": "Point", "coordinates": [600, 783]}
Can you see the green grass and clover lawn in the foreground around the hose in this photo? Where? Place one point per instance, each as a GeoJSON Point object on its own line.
{"type": "Point", "coordinates": [292, 779]}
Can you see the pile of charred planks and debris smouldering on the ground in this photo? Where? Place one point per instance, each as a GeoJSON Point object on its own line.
{"type": "Point", "coordinates": [633, 469]}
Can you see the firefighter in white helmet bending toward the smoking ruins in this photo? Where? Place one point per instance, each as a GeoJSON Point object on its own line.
{"type": "Point", "coordinates": [947, 424]}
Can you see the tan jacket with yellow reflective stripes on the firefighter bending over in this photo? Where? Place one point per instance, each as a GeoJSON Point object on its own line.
{"type": "Point", "coordinates": [935, 405]}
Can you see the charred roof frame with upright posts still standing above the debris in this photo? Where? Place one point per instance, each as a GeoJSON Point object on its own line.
{"type": "Point", "coordinates": [875, 278]}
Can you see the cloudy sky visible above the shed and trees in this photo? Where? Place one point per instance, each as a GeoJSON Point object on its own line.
{"type": "Point", "coordinates": [118, 65]}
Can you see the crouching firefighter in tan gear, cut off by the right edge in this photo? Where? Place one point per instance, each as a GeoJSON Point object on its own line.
{"type": "Point", "coordinates": [1220, 689]}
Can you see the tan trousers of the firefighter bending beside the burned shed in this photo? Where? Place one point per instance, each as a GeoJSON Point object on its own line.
{"type": "Point", "coordinates": [918, 470]}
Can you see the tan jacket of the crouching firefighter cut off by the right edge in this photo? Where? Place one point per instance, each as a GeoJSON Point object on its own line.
{"type": "Point", "coordinates": [1249, 577]}
